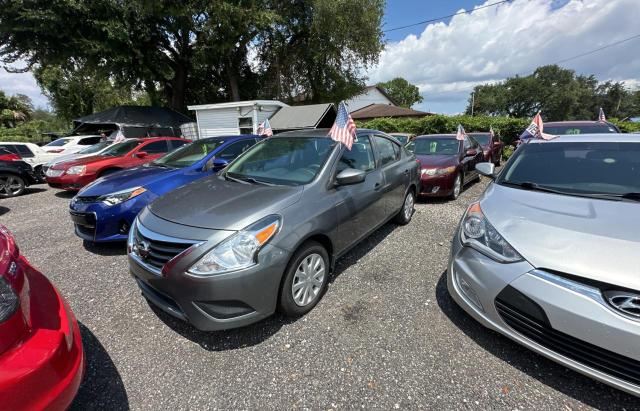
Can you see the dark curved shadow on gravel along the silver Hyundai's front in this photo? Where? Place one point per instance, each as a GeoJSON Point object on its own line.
{"type": "Point", "coordinates": [562, 379]}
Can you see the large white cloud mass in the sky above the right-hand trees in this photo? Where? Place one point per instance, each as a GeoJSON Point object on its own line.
{"type": "Point", "coordinates": [490, 44]}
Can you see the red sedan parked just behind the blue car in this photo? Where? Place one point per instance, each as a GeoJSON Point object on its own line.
{"type": "Point", "coordinates": [74, 174]}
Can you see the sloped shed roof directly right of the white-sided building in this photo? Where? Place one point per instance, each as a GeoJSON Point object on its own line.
{"type": "Point", "coordinates": [299, 117]}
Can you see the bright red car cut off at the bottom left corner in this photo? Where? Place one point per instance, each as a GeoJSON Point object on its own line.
{"type": "Point", "coordinates": [41, 357]}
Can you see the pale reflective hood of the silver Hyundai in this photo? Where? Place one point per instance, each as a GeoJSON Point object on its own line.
{"type": "Point", "coordinates": [585, 237]}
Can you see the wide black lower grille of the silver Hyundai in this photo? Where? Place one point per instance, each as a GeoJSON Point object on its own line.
{"type": "Point", "coordinates": [590, 355]}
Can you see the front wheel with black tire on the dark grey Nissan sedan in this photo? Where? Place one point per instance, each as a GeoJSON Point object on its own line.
{"type": "Point", "coordinates": [308, 255]}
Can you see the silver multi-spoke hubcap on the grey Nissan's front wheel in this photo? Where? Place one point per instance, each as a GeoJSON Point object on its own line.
{"type": "Point", "coordinates": [308, 279]}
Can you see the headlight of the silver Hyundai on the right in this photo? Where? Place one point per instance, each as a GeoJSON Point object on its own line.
{"type": "Point", "coordinates": [478, 233]}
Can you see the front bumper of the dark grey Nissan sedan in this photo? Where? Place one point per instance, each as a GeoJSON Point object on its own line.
{"type": "Point", "coordinates": [215, 302]}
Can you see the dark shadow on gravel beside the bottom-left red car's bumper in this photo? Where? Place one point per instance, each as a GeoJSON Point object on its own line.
{"type": "Point", "coordinates": [102, 387]}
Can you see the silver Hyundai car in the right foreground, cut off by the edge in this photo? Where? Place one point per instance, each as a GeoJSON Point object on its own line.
{"type": "Point", "coordinates": [550, 254]}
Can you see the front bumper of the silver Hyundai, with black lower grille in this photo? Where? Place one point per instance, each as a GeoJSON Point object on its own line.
{"type": "Point", "coordinates": [559, 319]}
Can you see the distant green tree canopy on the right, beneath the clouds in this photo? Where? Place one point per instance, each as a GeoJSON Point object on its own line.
{"type": "Point", "coordinates": [559, 93]}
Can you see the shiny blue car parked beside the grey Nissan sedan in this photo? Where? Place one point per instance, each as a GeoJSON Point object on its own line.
{"type": "Point", "coordinates": [104, 210]}
